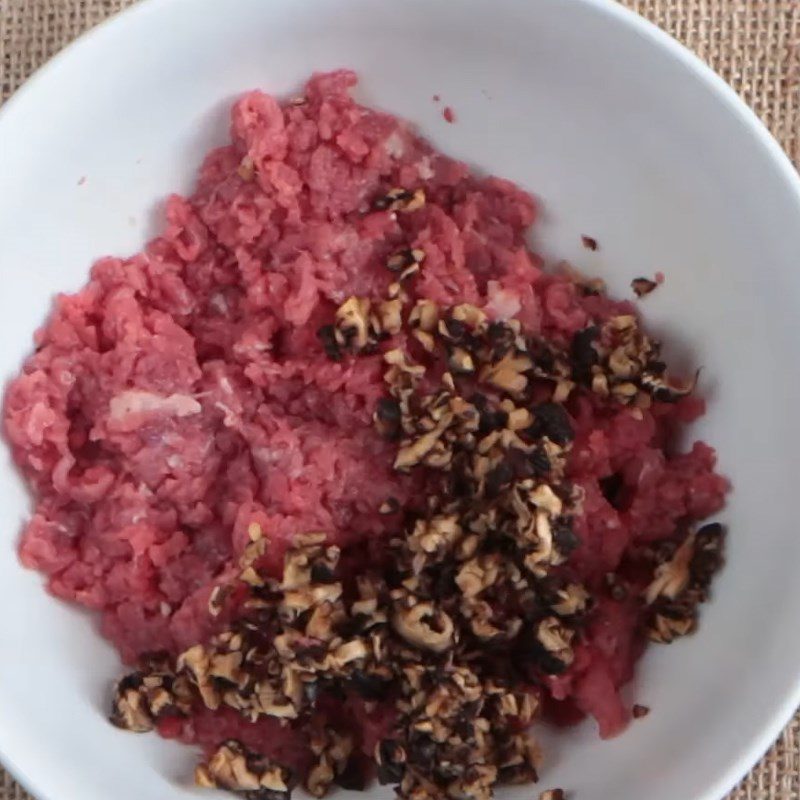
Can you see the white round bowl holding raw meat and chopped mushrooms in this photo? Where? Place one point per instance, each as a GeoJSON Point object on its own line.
{"type": "Point", "coordinates": [624, 135]}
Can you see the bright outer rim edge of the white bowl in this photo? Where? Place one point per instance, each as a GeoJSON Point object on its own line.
{"type": "Point", "coordinates": [759, 742]}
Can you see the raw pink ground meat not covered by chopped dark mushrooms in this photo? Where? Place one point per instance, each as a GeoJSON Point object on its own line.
{"type": "Point", "coordinates": [183, 393]}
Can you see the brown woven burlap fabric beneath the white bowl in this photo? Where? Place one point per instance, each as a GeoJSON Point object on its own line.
{"type": "Point", "coordinates": [753, 44]}
